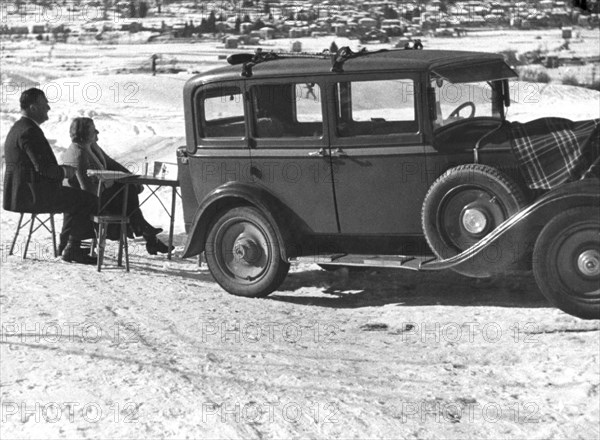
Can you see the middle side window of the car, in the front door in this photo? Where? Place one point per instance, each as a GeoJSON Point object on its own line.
{"type": "Point", "coordinates": [378, 107]}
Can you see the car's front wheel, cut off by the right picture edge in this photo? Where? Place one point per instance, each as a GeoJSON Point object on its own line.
{"type": "Point", "coordinates": [566, 262]}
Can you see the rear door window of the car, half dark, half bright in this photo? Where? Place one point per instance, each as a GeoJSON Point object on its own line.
{"type": "Point", "coordinates": [287, 110]}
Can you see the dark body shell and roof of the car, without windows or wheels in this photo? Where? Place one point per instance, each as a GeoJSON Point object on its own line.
{"type": "Point", "coordinates": [338, 190]}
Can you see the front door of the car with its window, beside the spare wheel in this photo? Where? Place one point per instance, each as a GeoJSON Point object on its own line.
{"type": "Point", "coordinates": [378, 156]}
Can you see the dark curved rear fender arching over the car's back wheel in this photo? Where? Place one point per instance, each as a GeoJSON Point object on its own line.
{"type": "Point", "coordinates": [287, 225]}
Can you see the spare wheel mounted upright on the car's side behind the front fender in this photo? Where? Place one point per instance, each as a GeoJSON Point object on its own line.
{"type": "Point", "coordinates": [464, 205]}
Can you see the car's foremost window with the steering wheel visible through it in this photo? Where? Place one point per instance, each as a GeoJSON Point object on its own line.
{"type": "Point", "coordinates": [457, 101]}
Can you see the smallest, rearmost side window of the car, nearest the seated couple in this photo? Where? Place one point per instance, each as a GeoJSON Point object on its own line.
{"type": "Point", "coordinates": [222, 113]}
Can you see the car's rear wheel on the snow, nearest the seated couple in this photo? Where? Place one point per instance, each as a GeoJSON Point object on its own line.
{"type": "Point", "coordinates": [243, 253]}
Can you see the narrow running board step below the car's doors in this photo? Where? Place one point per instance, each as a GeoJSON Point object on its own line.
{"type": "Point", "coordinates": [394, 261]}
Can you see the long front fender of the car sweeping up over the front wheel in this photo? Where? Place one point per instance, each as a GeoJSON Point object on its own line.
{"type": "Point", "coordinates": [518, 233]}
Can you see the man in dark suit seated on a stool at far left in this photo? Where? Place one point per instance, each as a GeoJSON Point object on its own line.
{"type": "Point", "coordinates": [33, 178]}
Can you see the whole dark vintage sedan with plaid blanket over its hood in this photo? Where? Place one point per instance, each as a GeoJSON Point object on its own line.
{"type": "Point", "coordinates": [394, 158]}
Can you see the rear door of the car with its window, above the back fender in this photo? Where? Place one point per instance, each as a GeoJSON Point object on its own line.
{"type": "Point", "coordinates": [290, 148]}
